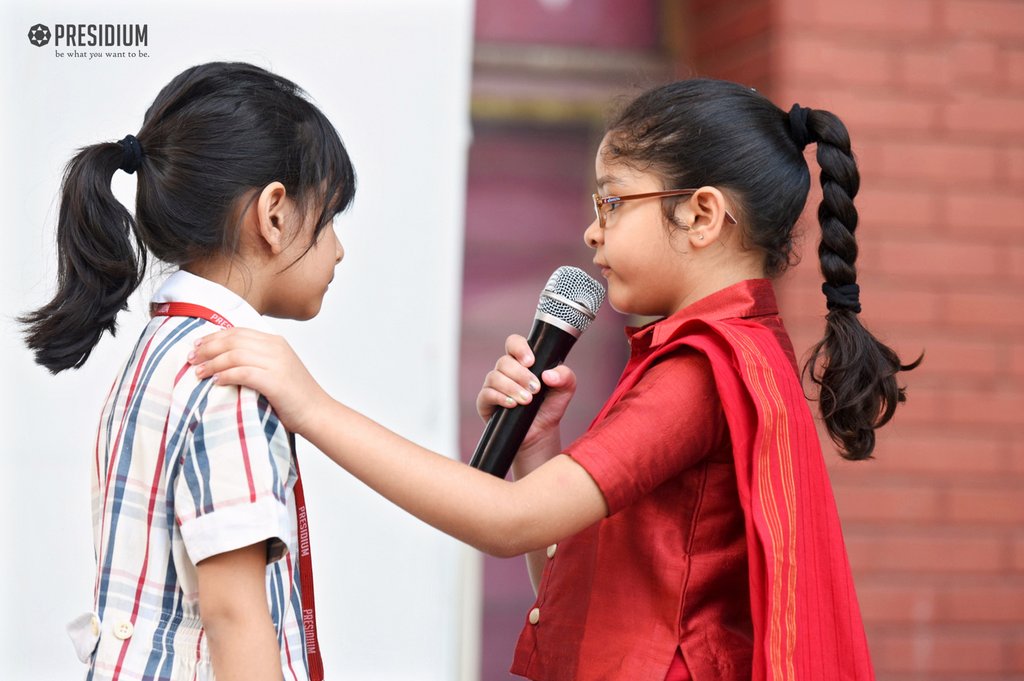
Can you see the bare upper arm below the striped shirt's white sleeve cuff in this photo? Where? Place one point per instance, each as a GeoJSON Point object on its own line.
{"type": "Point", "coordinates": [236, 617]}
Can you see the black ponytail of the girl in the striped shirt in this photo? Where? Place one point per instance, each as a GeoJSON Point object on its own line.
{"type": "Point", "coordinates": [100, 263]}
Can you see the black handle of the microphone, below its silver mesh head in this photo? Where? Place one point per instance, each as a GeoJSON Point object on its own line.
{"type": "Point", "coordinates": [508, 428]}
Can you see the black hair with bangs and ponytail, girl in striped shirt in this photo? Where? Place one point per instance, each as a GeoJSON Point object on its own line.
{"type": "Point", "coordinates": [215, 135]}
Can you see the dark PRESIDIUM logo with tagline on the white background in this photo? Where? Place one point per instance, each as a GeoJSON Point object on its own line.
{"type": "Point", "coordinates": [94, 41]}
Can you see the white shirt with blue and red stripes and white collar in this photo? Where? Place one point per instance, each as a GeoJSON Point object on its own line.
{"type": "Point", "coordinates": [184, 471]}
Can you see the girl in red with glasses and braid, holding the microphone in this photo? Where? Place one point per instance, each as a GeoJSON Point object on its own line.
{"type": "Point", "coordinates": [692, 533]}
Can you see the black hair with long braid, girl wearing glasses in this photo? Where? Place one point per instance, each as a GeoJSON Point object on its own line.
{"type": "Point", "coordinates": [708, 133]}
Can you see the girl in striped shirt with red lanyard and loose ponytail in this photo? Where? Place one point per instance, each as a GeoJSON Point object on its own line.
{"type": "Point", "coordinates": [196, 488]}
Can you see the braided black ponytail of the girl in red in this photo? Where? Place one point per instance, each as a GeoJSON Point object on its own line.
{"type": "Point", "coordinates": [856, 372]}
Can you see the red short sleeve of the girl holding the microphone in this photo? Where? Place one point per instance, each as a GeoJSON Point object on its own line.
{"type": "Point", "coordinates": [671, 420]}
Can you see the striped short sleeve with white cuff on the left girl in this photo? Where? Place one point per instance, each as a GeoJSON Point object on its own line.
{"type": "Point", "coordinates": [236, 476]}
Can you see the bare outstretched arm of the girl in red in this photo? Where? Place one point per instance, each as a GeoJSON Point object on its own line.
{"type": "Point", "coordinates": [556, 500]}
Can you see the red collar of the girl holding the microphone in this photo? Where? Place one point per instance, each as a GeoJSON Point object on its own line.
{"type": "Point", "coordinates": [746, 300]}
